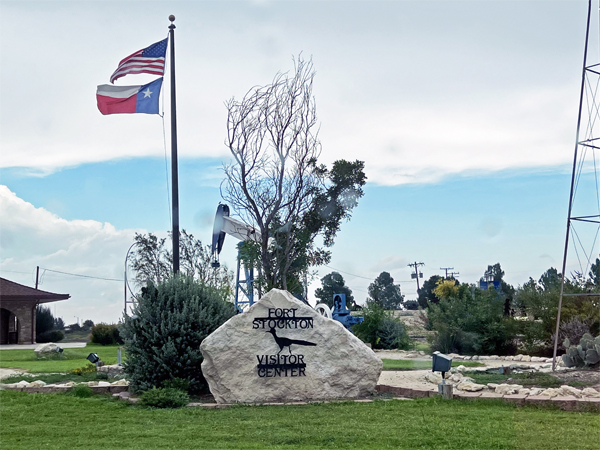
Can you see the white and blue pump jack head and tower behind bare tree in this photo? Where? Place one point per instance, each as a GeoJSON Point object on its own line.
{"type": "Point", "coordinates": [227, 225]}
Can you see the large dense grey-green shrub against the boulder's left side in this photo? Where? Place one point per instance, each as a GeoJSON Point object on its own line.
{"type": "Point", "coordinates": [163, 337]}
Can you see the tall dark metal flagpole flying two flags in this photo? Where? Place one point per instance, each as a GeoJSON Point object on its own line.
{"type": "Point", "coordinates": [175, 178]}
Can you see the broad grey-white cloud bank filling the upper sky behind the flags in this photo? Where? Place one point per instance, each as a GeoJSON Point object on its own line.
{"type": "Point", "coordinates": [416, 93]}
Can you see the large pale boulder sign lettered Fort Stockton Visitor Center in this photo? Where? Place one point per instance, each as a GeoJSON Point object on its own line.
{"type": "Point", "coordinates": [281, 350]}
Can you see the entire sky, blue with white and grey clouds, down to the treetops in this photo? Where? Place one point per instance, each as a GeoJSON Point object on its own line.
{"type": "Point", "coordinates": [463, 111]}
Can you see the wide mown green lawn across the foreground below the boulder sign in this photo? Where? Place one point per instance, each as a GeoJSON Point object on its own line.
{"type": "Point", "coordinates": [58, 421]}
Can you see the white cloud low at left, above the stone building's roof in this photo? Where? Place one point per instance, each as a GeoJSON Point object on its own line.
{"type": "Point", "coordinates": [33, 237]}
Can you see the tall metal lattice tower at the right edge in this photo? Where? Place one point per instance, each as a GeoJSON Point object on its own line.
{"type": "Point", "coordinates": [583, 219]}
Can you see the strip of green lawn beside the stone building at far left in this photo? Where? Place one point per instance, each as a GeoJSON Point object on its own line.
{"type": "Point", "coordinates": [72, 358]}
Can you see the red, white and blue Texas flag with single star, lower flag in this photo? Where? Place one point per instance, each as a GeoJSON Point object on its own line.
{"type": "Point", "coordinates": [129, 99]}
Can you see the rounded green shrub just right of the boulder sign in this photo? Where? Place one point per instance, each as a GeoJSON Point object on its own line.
{"type": "Point", "coordinates": [381, 329]}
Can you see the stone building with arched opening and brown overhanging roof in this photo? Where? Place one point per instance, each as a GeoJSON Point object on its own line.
{"type": "Point", "coordinates": [18, 305]}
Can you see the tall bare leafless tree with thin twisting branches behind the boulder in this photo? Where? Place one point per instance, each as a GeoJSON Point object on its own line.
{"type": "Point", "coordinates": [272, 134]}
